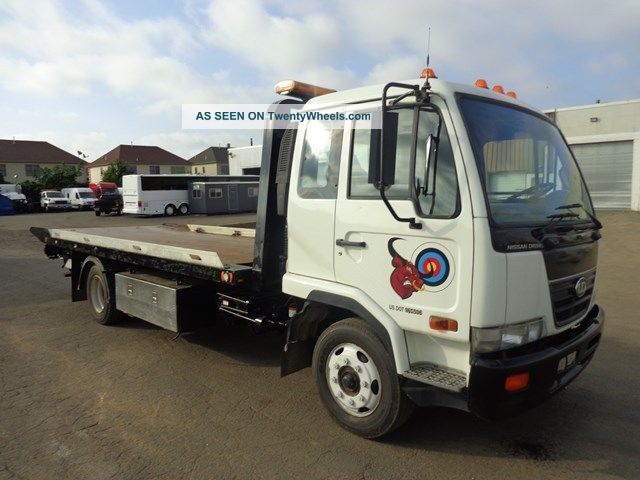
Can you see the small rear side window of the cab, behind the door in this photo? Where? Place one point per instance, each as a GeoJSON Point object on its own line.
{"type": "Point", "coordinates": [320, 164]}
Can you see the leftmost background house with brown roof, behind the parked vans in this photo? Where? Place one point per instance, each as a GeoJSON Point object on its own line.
{"type": "Point", "coordinates": [25, 158]}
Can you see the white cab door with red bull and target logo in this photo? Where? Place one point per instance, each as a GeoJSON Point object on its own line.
{"type": "Point", "coordinates": [414, 274]}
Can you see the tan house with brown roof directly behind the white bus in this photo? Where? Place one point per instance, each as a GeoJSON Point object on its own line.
{"type": "Point", "coordinates": [141, 159]}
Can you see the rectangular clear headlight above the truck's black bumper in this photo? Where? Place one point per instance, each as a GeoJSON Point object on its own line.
{"type": "Point", "coordinates": [503, 338]}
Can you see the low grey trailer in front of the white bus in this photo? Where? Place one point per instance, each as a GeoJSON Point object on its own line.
{"type": "Point", "coordinates": [223, 197]}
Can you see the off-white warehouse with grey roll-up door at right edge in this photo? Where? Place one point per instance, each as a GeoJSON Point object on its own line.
{"type": "Point", "coordinates": [605, 139]}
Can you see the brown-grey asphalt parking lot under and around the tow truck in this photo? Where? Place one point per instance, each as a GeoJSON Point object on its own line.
{"type": "Point", "coordinates": [81, 400]}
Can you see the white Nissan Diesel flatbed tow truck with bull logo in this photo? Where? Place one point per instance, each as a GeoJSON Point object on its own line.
{"type": "Point", "coordinates": [448, 258]}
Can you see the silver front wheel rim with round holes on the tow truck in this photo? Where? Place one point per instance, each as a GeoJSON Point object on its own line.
{"type": "Point", "coordinates": [353, 379]}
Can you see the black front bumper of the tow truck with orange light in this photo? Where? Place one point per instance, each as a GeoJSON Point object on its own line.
{"type": "Point", "coordinates": [544, 361]}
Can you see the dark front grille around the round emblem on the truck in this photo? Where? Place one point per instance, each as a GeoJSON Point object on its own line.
{"type": "Point", "coordinates": [567, 307]}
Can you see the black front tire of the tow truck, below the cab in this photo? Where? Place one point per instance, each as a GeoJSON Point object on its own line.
{"type": "Point", "coordinates": [393, 407]}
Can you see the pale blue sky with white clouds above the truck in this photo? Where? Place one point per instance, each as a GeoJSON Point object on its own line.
{"type": "Point", "coordinates": [91, 74]}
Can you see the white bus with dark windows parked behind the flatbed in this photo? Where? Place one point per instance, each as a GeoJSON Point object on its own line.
{"type": "Point", "coordinates": [165, 194]}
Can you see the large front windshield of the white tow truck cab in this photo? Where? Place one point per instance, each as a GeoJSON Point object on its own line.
{"type": "Point", "coordinates": [528, 171]}
